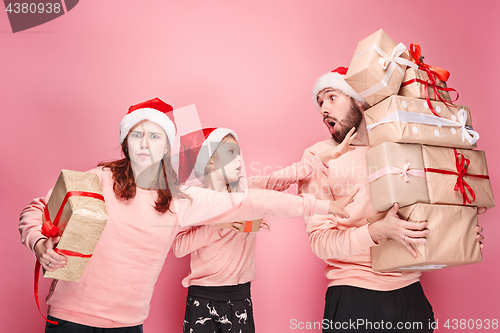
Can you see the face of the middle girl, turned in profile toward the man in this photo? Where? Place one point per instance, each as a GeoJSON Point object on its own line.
{"type": "Point", "coordinates": [226, 161]}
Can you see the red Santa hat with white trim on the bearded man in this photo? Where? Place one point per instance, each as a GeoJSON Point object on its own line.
{"type": "Point", "coordinates": [335, 80]}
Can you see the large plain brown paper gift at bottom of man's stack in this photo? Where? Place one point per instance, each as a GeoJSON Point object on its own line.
{"type": "Point", "coordinates": [451, 240]}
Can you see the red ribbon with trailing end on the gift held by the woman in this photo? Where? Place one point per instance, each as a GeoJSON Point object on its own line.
{"type": "Point", "coordinates": [50, 230]}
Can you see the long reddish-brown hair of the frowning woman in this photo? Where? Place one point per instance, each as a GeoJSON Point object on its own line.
{"type": "Point", "coordinates": [124, 184]}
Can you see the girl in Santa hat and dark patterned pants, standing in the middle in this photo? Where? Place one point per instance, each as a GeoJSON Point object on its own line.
{"type": "Point", "coordinates": [222, 261]}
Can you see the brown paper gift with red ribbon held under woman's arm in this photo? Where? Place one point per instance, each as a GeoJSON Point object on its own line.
{"type": "Point", "coordinates": [81, 220]}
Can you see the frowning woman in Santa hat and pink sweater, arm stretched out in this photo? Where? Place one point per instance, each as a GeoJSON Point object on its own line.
{"type": "Point", "coordinates": [143, 218]}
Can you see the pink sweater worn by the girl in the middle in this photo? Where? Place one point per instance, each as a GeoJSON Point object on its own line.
{"type": "Point", "coordinates": [223, 257]}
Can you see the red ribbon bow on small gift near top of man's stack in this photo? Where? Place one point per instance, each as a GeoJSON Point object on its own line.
{"type": "Point", "coordinates": [432, 73]}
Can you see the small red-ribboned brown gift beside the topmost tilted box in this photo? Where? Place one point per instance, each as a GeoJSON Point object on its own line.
{"type": "Point", "coordinates": [413, 85]}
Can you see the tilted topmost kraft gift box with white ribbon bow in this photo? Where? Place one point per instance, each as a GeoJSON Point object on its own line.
{"type": "Point", "coordinates": [378, 67]}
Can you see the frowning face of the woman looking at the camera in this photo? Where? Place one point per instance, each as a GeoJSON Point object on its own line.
{"type": "Point", "coordinates": [147, 143]}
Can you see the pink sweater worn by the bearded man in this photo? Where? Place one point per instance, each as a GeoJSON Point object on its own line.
{"type": "Point", "coordinates": [344, 244]}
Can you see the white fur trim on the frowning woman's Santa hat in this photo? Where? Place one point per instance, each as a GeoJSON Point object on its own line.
{"type": "Point", "coordinates": [136, 116]}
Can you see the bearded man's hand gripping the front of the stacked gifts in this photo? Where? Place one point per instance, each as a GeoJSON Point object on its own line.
{"type": "Point", "coordinates": [391, 226]}
